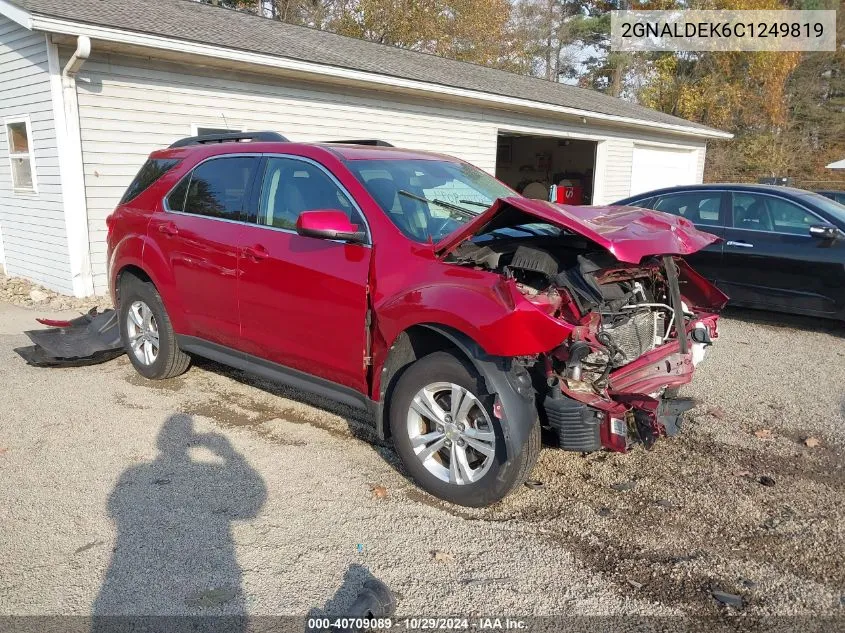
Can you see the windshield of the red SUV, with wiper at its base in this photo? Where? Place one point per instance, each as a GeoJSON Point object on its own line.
{"type": "Point", "coordinates": [428, 199]}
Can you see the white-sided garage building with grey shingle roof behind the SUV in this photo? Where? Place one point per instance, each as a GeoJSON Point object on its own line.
{"type": "Point", "coordinates": [148, 80]}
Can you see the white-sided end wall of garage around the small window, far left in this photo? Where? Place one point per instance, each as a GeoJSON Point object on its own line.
{"type": "Point", "coordinates": [34, 236]}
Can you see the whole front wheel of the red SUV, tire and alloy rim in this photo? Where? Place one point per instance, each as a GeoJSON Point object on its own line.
{"type": "Point", "coordinates": [448, 438]}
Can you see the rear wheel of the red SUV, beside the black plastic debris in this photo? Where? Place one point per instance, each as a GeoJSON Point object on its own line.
{"type": "Point", "coordinates": [146, 331]}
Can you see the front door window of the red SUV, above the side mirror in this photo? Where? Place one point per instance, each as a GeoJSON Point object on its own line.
{"type": "Point", "coordinates": [291, 186]}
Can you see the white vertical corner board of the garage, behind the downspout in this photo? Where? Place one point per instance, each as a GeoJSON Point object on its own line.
{"type": "Point", "coordinates": [71, 172]}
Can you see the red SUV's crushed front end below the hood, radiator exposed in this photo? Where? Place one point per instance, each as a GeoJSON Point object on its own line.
{"type": "Point", "coordinates": [636, 340]}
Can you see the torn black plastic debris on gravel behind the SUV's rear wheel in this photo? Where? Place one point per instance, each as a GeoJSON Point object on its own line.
{"type": "Point", "coordinates": [87, 340]}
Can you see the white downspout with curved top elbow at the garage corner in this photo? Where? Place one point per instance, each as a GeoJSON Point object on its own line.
{"type": "Point", "coordinates": [76, 208]}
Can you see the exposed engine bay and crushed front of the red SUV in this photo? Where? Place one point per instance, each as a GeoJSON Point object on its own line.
{"type": "Point", "coordinates": [638, 330]}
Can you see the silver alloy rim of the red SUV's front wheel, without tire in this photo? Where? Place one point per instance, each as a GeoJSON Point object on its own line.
{"type": "Point", "coordinates": [451, 433]}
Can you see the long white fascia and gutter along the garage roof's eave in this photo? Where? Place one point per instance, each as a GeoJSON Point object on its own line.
{"type": "Point", "coordinates": [67, 27]}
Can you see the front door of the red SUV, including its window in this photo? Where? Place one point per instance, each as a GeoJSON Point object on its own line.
{"type": "Point", "coordinates": [303, 300]}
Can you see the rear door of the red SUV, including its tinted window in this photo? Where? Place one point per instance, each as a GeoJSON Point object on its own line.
{"type": "Point", "coordinates": [199, 236]}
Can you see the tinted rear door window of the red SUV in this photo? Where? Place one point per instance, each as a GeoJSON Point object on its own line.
{"type": "Point", "coordinates": [218, 188]}
